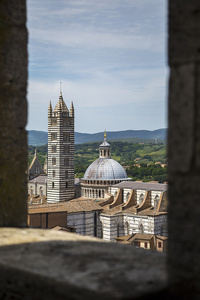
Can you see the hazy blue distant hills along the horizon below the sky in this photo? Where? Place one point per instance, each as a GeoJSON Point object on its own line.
{"type": "Point", "coordinates": [37, 138]}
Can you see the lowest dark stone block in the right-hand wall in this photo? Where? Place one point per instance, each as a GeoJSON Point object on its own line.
{"type": "Point", "coordinates": [184, 212]}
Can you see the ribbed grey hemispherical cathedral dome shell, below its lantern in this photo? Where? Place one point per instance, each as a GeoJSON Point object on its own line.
{"type": "Point", "coordinates": [105, 169]}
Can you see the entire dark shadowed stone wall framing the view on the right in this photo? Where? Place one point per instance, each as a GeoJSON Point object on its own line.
{"type": "Point", "coordinates": [184, 145]}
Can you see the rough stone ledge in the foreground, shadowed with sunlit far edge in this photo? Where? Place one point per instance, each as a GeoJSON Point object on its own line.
{"type": "Point", "coordinates": [75, 267]}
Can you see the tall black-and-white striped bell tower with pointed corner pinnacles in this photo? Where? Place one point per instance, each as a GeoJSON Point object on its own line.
{"type": "Point", "coordinates": [60, 182]}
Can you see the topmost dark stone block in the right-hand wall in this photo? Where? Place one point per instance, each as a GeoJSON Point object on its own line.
{"type": "Point", "coordinates": [184, 31]}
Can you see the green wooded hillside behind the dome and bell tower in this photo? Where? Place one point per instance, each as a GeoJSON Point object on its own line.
{"type": "Point", "coordinates": [129, 155]}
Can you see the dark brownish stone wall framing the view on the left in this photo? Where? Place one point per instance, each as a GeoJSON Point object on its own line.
{"type": "Point", "coordinates": [13, 113]}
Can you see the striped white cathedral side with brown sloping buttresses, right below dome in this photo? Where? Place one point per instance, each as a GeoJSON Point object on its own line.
{"type": "Point", "coordinates": [138, 207]}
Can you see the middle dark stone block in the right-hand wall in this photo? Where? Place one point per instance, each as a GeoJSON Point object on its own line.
{"type": "Point", "coordinates": [181, 118]}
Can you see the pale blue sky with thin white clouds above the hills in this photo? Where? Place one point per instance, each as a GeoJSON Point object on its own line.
{"type": "Point", "coordinates": [110, 56]}
